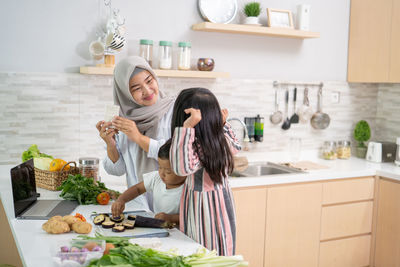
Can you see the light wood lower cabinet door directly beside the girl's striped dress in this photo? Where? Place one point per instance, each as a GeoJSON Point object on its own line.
{"type": "Point", "coordinates": [250, 224]}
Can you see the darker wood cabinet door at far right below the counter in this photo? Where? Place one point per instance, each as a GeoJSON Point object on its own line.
{"type": "Point", "coordinates": [387, 251]}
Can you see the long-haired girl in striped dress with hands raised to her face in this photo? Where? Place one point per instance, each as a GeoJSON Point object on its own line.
{"type": "Point", "coordinates": [201, 149]}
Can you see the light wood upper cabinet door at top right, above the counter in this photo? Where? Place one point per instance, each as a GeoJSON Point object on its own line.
{"type": "Point", "coordinates": [369, 41]}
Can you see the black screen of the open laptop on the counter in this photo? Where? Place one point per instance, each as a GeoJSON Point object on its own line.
{"type": "Point", "coordinates": [23, 186]}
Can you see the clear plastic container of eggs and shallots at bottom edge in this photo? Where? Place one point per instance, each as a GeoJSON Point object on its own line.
{"type": "Point", "coordinates": [77, 252]}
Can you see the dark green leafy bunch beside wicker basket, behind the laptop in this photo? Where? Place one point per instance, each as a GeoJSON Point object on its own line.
{"type": "Point", "coordinates": [82, 189]}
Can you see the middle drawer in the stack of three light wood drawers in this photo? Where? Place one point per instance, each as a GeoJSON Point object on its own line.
{"type": "Point", "coordinates": [346, 220]}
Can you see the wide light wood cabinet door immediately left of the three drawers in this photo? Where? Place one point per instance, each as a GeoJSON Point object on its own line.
{"type": "Point", "coordinates": [293, 225]}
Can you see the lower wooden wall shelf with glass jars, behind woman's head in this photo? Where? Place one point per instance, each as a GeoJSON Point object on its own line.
{"type": "Point", "coordinates": [160, 73]}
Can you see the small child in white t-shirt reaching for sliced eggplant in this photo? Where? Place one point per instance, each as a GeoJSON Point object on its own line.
{"type": "Point", "coordinates": [165, 185]}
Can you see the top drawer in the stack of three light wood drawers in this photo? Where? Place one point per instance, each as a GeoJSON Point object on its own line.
{"type": "Point", "coordinates": [348, 190]}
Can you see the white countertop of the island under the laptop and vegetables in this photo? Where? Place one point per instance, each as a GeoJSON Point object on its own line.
{"type": "Point", "coordinates": [36, 245]}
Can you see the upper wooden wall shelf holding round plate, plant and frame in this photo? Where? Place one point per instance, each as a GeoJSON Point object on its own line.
{"type": "Point", "coordinates": [254, 30]}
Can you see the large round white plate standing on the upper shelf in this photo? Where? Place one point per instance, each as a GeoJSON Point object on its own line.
{"type": "Point", "coordinates": [218, 11]}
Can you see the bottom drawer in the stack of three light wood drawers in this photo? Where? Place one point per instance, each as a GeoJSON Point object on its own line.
{"type": "Point", "coordinates": [348, 252]}
